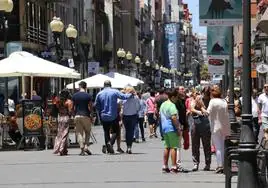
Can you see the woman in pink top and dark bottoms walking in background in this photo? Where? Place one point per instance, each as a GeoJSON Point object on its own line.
{"type": "Point", "coordinates": [151, 114]}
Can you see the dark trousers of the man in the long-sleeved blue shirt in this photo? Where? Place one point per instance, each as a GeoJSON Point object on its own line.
{"type": "Point", "coordinates": [108, 127]}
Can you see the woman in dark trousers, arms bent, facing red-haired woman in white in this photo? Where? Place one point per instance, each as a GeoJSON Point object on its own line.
{"type": "Point", "coordinates": [200, 130]}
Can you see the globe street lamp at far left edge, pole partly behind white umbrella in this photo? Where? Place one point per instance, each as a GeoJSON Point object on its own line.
{"type": "Point", "coordinates": [6, 6]}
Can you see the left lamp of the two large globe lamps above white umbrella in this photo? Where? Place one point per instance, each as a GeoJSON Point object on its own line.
{"type": "Point", "coordinates": [57, 26]}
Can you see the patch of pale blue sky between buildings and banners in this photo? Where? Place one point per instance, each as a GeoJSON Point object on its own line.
{"type": "Point", "coordinates": [193, 5]}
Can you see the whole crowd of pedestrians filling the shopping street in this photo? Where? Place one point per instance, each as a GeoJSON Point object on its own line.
{"type": "Point", "coordinates": [179, 116]}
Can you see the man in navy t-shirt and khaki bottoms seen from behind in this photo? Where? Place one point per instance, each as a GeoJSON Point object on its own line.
{"type": "Point", "coordinates": [82, 102]}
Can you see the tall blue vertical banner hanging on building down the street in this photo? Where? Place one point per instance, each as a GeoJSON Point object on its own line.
{"type": "Point", "coordinates": [171, 48]}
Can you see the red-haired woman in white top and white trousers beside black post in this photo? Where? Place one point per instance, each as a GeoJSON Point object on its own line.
{"type": "Point", "coordinates": [220, 126]}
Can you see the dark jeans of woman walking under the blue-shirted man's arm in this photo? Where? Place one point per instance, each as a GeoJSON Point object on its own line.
{"type": "Point", "coordinates": [130, 122]}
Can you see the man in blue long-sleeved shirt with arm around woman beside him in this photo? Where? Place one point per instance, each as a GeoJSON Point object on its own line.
{"type": "Point", "coordinates": [106, 105]}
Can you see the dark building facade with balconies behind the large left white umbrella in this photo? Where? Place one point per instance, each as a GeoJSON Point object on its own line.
{"type": "Point", "coordinates": [29, 26]}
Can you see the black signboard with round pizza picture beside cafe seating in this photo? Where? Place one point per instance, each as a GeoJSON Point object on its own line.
{"type": "Point", "coordinates": [32, 118]}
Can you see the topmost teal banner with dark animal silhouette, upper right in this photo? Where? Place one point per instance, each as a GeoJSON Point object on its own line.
{"type": "Point", "coordinates": [220, 12]}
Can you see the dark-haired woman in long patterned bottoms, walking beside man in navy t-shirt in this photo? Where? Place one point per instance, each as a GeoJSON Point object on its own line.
{"type": "Point", "coordinates": [65, 107]}
